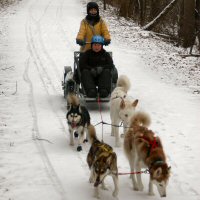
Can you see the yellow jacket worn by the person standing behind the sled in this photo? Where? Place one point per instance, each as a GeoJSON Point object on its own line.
{"type": "Point", "coordinates": [87, 31]}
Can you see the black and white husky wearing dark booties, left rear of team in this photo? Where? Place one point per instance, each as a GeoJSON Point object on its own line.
{"type": "Point", "coordinates": [78, 119]}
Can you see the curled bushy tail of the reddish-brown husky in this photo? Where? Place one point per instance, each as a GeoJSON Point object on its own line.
{"type": "Point", "coordinates": [140, 119]}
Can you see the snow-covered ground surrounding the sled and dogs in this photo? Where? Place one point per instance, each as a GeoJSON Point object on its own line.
{"type": "Point", "coordinates": [37, 38]}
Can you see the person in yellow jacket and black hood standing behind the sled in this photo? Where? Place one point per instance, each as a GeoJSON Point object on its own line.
{"type": "Point", "coordinates": [90, 26]}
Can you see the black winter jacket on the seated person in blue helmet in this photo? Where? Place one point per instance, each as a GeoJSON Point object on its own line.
{"type": "Point", "coordinates": [90, 59]}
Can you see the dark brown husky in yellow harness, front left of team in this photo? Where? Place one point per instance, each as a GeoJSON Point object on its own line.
{"type": "Point", "coordinates": [102, 161]}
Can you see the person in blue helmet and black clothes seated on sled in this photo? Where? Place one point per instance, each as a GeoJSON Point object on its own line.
{"type": "Point", "coordinates": [96, 65]}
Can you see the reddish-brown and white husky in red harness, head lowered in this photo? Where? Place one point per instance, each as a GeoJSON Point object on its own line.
{"type": "Point", "coordinates": [144, 149]}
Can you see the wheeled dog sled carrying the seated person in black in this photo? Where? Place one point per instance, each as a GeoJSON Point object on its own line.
{"type": "Point", "coordinates": [72, 81]}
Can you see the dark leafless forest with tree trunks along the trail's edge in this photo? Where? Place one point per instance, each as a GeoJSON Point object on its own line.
{"type": "Point", "coordinates": [176, 20]}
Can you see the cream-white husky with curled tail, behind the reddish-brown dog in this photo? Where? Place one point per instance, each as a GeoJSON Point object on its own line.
{"type": "Point", "coordinates": [121, 108]}
